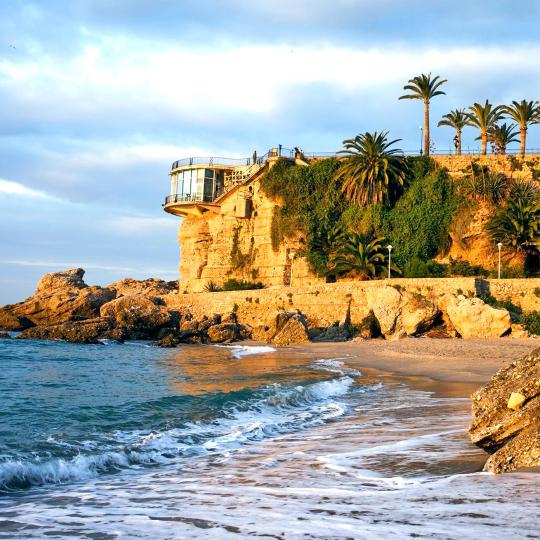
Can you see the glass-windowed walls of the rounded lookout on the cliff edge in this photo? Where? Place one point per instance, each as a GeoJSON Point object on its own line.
{"type": "Point", "coordinates": [196, 185]}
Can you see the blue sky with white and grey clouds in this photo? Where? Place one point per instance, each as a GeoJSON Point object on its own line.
{"type": "Point", "coordinates": [99, 97]}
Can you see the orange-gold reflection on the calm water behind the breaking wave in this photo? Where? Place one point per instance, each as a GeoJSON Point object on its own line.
{"type": "Point", "coordinates": [196, 369]}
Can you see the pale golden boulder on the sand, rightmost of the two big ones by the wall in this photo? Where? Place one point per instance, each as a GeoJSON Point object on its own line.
{"type": "Point", "coordinates": [473, 318]}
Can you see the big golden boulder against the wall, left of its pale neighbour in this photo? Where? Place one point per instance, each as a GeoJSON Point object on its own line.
{"type": "Point", "coordinates": [400, 313]}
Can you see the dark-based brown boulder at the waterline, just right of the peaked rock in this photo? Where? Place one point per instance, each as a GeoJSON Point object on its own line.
{"type": "Point", "coordinates": [139, 316]}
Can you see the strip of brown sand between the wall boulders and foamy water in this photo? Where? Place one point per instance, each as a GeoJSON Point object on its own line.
{"type": "Point", "coordinates": [448, 367]}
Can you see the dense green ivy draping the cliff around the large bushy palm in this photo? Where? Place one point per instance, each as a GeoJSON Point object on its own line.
{"type": "Point", "coordinates": [312, 203]}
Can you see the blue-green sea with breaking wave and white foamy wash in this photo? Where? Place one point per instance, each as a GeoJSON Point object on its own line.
{"type": "Point", "coordinates": [241, 441]}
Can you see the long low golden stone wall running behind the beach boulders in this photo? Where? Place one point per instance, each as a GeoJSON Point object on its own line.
{"type": "Point", "coordinates": [327, 303]}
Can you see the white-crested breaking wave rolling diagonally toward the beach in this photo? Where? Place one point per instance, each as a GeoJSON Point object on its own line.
{"type": "Point", "coordinates": [271, 411]}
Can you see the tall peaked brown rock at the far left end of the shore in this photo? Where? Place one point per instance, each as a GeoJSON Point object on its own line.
{"type": "Point", "coordinates": [60, 297]}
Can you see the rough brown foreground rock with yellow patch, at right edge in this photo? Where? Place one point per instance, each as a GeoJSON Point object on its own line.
{"type": "Point", "coordinates": [506, 416]}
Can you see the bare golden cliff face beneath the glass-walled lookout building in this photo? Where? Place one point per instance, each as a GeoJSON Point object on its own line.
{"type": "Point", "coordinates": [219, 246]}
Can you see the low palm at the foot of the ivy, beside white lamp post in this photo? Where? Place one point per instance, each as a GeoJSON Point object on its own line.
{"type": "Point", "coordinates": [358, 255]}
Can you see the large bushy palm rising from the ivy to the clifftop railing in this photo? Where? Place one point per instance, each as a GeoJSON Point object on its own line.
{"type": "Point", "coordinates": [371, 171]}
